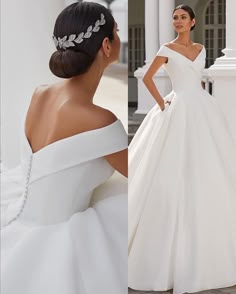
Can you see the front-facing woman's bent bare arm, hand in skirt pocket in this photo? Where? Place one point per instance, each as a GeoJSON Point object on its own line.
{"type": "Point", "coordinates": [148, 79]}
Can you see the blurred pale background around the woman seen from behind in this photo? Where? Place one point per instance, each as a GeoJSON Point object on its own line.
{"type": "Point", "coordinates": [26, 46]}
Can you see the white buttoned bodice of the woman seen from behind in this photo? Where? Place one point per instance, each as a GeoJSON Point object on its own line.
{"type": "Point", "coordinates": [59, 179]}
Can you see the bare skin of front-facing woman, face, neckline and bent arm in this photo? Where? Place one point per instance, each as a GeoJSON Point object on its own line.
{"type": "Point", "coordinates": [183, 44]}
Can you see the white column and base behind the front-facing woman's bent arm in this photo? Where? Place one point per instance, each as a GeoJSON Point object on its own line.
{"type": "Point", "coordinates": [158, 30]}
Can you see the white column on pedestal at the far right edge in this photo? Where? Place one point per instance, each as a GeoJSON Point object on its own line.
{"type": "Point", "coordinates": [223, 71]}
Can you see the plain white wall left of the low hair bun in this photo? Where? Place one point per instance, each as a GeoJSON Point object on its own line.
{"type": "Point", "coordinates": [26, 46]}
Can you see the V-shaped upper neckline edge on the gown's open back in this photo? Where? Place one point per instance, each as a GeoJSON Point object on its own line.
{"type": "Point", "coordinates": [34, 153]}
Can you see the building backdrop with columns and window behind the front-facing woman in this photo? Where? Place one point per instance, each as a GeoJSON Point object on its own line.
{"type": "Point", "coordinates": [150, 26]}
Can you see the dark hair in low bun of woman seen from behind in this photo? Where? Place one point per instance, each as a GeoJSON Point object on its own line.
{"type": "Point", "coordinates": [74, 19]}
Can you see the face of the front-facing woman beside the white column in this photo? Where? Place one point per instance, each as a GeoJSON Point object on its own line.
{"type": "Point", "coordinates": [182, 21]}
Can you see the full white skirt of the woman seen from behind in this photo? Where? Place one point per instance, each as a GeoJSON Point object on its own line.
{"type": "Point", "coordinates": [84, 255]}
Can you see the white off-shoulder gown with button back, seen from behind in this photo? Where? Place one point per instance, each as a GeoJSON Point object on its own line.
{"type": "Point", "coordinates": [51, 240]}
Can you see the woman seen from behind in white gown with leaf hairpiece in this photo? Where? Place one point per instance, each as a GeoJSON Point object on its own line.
{"type": "Point", "coordinates": [51, 240]}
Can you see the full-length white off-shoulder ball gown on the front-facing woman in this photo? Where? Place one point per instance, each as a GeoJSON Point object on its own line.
{"type": "Point", "coordinates": [182, 189]}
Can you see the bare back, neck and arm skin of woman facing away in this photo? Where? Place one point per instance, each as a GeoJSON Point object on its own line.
{"type": "Point", "coordinates": [66, 108]}
